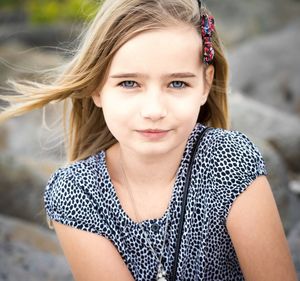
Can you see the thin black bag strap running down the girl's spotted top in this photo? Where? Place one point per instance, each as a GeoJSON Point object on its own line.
{"type": "Point", "coordinates": [184, 201]}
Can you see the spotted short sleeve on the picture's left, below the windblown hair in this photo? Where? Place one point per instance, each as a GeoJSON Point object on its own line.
{"type": "Point", "coordinates": [69, 200]}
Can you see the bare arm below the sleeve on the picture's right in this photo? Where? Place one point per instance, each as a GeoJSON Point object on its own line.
{"type": "Point", "coordinates": [258, 237]}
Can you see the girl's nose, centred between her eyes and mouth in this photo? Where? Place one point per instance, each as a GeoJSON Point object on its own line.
{"type": "Point", "coordinates": [153, 107]}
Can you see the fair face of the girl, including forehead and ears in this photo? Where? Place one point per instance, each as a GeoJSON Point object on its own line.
{"type": "Point", "coordinates": [154, 90]}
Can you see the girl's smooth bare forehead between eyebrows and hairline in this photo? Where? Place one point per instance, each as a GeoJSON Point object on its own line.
{"type": "Point", "coordinates": [162, 50]}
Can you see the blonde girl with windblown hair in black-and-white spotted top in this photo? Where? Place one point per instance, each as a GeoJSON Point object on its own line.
{"type": "Point", "coordinates": [148, 78]}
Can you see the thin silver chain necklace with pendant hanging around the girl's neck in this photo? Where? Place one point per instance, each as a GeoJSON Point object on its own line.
{"type": "Point", "coordinates": [161, 274]}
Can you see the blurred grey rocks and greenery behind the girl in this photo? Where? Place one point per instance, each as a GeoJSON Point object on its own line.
{"type": "Point", "coordinates": [262, 39]}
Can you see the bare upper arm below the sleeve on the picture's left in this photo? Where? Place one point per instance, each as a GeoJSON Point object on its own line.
{"type": "Point", "coordinates": [91, 257]}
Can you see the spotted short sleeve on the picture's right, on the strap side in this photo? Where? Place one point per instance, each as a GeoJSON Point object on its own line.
{"type": "Point", "coordinates": [236, 163]}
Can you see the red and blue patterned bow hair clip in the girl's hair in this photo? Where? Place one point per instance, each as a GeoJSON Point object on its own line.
{"type": "Point", "coordinates": [207, 29]}
